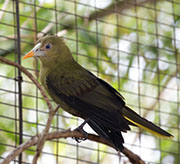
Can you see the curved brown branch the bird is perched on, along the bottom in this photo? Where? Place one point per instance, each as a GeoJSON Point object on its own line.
{"type": "Point", "coordinates": [135, 159]}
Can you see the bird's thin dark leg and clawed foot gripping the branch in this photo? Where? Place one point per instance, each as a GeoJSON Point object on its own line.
{"type": "Point", "coordinates": [80, 129]}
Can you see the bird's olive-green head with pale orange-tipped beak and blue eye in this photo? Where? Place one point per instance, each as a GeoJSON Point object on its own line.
{"type": "Point", "coordinates": [50, 49]}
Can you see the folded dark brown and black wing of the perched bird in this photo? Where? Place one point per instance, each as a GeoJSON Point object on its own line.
{"type": "Point", "coordinates": [93, 98]}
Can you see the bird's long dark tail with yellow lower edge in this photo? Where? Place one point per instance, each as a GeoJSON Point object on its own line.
{"type": "Point", "coordinates": [137, 120]}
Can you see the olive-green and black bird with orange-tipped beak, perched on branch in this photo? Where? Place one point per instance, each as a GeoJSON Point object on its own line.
{"type": "Point", "coordinates": [83, 94]}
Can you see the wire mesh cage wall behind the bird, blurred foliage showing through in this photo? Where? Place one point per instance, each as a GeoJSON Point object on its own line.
{"type": "Point", "coordinates": [132, 44]}
